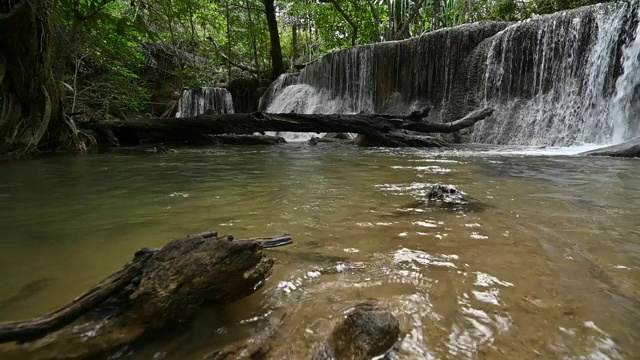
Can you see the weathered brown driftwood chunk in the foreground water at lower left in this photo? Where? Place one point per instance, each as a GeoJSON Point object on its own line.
{"type": "Point", "coordinates": [158, 287]}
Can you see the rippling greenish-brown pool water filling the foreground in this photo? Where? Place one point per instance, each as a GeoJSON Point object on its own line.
{"type": "Point", "coordinates": [544, 264]}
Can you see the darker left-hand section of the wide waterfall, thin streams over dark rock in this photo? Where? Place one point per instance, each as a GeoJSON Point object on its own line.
{"type": "Point", "coordinates": [395, 76]}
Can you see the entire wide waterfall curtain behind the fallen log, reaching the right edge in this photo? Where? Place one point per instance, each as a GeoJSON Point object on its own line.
{"type": "Point", "coordinates": [561, 79]}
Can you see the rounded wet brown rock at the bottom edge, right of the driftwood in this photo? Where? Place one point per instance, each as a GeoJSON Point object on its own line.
{"type": "Point", "coordinates": [368, 331]}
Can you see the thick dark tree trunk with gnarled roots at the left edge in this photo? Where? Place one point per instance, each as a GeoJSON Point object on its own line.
{"type": "Point", "coordinates": [32, 113]}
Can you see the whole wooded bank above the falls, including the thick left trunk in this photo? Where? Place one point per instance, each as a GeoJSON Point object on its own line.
{"type": "Point", "coordinates": [123, 58]}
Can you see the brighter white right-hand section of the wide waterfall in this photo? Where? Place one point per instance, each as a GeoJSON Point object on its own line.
{"type": "Point", "coordinates": [551, 79]}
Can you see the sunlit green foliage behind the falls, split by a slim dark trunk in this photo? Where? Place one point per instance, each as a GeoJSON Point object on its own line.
{"type": "Point", "coordinates": [117, 55]}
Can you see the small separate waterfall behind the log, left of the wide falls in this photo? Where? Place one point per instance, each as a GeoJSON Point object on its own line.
{"type": "Point", "coordinates": [197, 101]}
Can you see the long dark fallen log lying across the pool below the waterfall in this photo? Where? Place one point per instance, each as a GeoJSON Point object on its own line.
{"type": "Point", "coordinates": [380, 129]}
